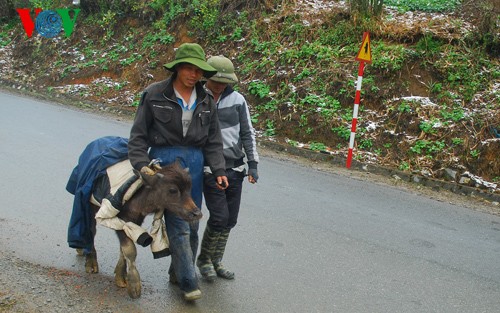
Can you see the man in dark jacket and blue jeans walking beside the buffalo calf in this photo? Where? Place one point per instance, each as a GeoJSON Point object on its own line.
{"type": "Point", "coordinates": [177, 121]}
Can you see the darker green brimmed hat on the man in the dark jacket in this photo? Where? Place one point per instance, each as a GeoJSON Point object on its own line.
{"type": "Point", "coordinates": [191, 53]}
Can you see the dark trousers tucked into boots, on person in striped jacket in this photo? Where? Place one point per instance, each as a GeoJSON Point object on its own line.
{"type": "Point", "coordinates": [223, 205]}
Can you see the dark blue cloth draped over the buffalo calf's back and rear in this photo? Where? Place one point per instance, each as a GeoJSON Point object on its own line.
{"type": "Point", "coordinates": [93, 162]}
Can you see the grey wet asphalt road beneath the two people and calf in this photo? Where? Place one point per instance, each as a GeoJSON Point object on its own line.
{"type": "Point", "coordinates": [307, 240]}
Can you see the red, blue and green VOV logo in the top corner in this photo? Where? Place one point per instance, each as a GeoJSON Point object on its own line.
{"type": "Point", "coordinates": [48, 23]}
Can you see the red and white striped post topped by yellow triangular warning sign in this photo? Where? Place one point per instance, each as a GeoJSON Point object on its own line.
{"type": "Point", "coordinates": [364, 56]}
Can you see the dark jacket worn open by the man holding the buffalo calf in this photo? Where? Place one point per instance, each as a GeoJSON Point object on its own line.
{"type": "Point", "coordinates": [158, 123]}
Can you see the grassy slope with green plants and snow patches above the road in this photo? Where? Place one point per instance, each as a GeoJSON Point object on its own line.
{"type": "Point", "coordinates": [296, 66]}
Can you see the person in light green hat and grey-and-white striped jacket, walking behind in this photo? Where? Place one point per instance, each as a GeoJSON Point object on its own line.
{"type": "Point", "coordinates": [238, 136]}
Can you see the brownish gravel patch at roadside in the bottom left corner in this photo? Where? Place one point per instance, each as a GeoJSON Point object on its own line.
{"type": "Point", "coordinates": [28, 288]}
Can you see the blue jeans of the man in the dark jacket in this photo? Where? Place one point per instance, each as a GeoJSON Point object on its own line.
{"type": "Point", "coordinates": [183, 236]}
